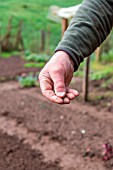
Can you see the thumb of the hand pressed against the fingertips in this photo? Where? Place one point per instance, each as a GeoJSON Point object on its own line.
{"type": "Point", "coordinates": [59, 84]}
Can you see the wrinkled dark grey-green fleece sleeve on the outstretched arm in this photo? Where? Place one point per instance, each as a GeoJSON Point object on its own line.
{"type": "Point", "coordinates": [88, 29]}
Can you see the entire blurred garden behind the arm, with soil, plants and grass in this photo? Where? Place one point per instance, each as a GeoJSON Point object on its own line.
{"type": "Point", "coordinates": [35, 133]}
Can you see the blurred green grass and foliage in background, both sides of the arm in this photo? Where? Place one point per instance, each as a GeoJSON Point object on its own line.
{"type": "Point", "coordinates": [33, 14]}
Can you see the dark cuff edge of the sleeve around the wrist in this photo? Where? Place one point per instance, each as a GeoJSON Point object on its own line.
{"type": "Point", "coordinates": [72, 56]}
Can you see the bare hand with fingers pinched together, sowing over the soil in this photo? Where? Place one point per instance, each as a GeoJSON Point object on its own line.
{"type": "Point", "coordinates": [55, 78]}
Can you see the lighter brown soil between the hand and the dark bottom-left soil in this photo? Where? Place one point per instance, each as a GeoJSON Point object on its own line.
{"type": "Point", "coordinates": [56, 130]}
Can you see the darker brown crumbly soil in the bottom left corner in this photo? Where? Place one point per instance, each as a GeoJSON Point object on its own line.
{"type": "Point", "coordinates": [15, 155]}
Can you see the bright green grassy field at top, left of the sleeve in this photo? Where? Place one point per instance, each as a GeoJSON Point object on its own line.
{"type": "Point", "coordinates": [34, 15]}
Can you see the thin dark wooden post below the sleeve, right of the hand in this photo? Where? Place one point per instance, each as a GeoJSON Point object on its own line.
{"type": "Point", "coordinates": [86, 79]}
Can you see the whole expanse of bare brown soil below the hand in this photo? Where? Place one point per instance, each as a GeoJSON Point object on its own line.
{"type": "Point", "coordinates": [37, 134]}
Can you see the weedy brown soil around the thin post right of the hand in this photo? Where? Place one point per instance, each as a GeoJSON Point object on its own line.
{"type": "Point", "coordinates": [99, 96]}
